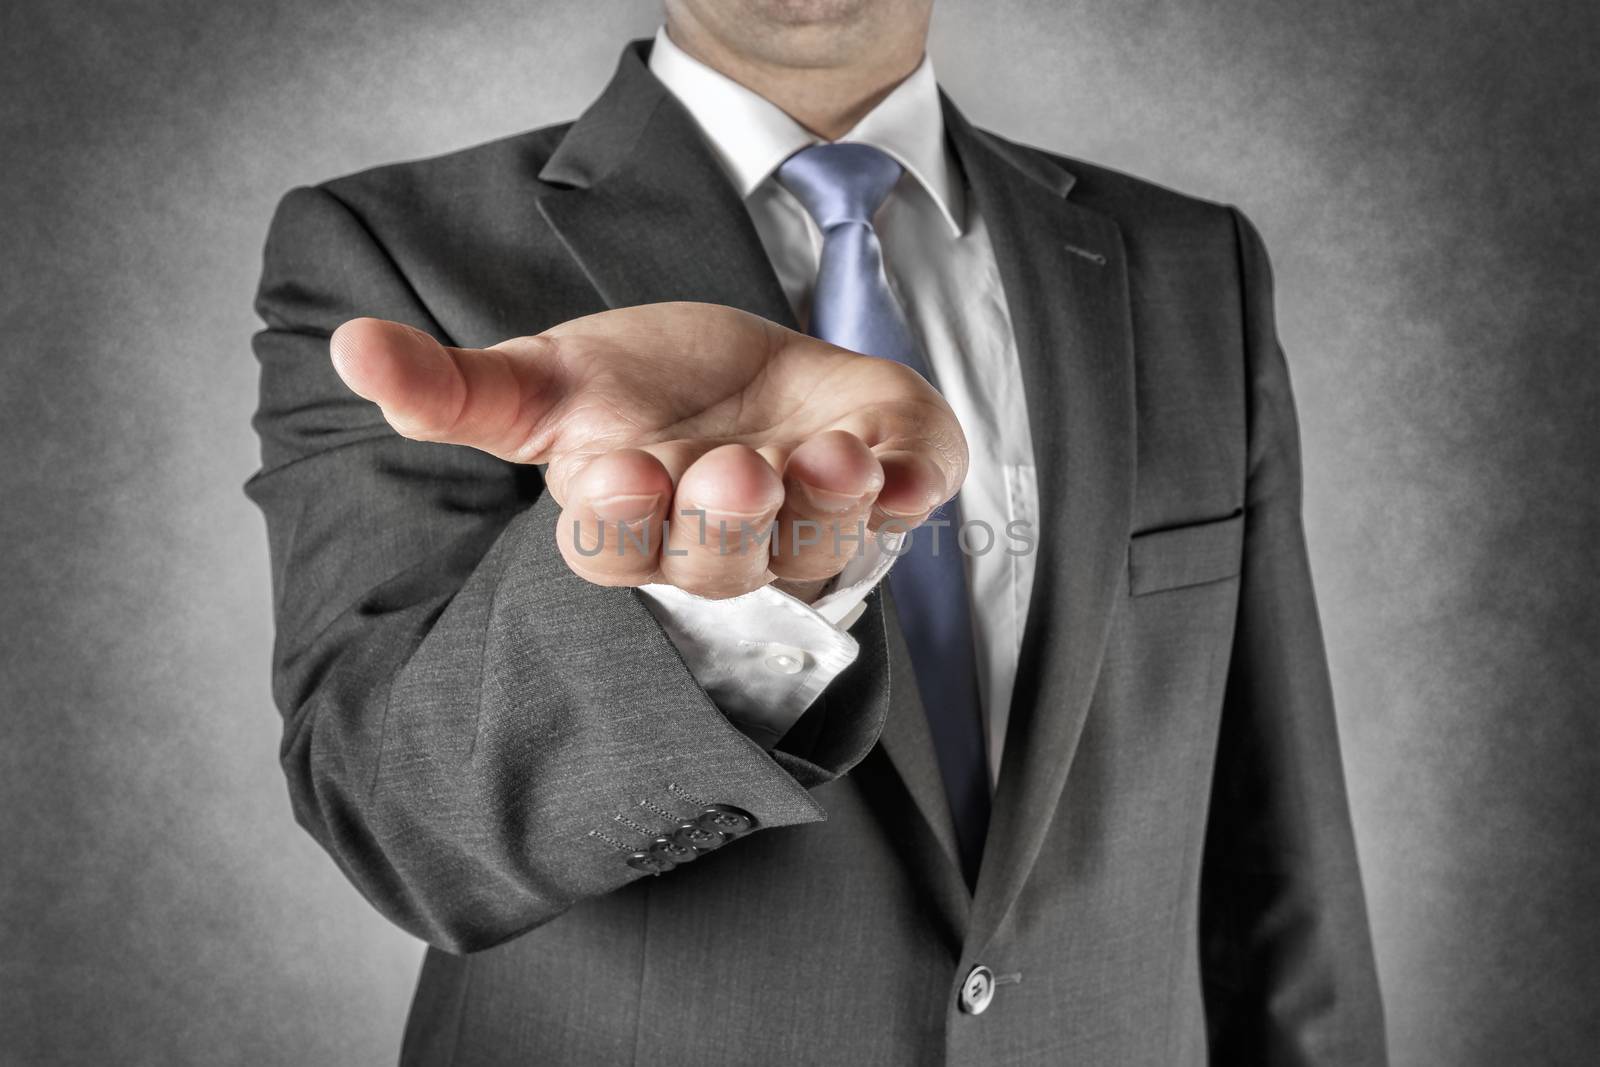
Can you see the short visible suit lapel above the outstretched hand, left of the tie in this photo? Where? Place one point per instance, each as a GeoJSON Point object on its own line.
{"type": "Point", "coordinates": [647, 212]}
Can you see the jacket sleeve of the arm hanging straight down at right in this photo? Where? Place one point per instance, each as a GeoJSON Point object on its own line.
{"type": "Point", "coordinates": [1286, 945]}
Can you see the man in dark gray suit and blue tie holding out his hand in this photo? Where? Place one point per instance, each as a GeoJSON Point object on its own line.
{"type": "Point", "coordinates": [774, 573]}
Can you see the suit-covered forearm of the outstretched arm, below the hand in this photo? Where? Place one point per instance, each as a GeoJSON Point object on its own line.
{"type": "Point", "coordinates": [465, 757]}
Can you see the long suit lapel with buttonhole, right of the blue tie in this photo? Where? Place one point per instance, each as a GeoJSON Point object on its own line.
{"type": "Point", "coordinates": [1065, 278]}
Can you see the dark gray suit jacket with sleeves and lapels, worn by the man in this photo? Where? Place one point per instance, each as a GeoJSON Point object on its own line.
{"type": "Point", "coordinates": [481, 740]}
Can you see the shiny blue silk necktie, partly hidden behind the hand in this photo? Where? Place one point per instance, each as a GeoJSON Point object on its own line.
{"type": "Point", "coordinates": [842, 188]}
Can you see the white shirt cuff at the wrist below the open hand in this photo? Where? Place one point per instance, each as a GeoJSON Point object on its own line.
{"type": "Point", "coordinates": [766, 657]}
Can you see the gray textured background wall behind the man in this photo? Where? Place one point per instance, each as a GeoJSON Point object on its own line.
{"type": "Point", "coordinates": [1425, 175]}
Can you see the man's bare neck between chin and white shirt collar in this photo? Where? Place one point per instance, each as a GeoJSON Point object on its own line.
{"type": "Point", "coordinates": [826, 100]}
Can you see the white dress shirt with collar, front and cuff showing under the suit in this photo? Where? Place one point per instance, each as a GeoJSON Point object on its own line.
{"type": "Point", "coordinates": [766, 657]}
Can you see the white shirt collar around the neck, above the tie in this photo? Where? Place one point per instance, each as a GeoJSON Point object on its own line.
{"type": "Point", "coordinates": [753, 137]}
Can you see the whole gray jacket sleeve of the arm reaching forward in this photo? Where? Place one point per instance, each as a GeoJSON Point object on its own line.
{"type": "Point", "coordinates": [478, 737]}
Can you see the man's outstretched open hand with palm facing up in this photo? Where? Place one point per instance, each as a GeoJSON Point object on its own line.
{"type": "Point", "coordinates": [697, 422]}
